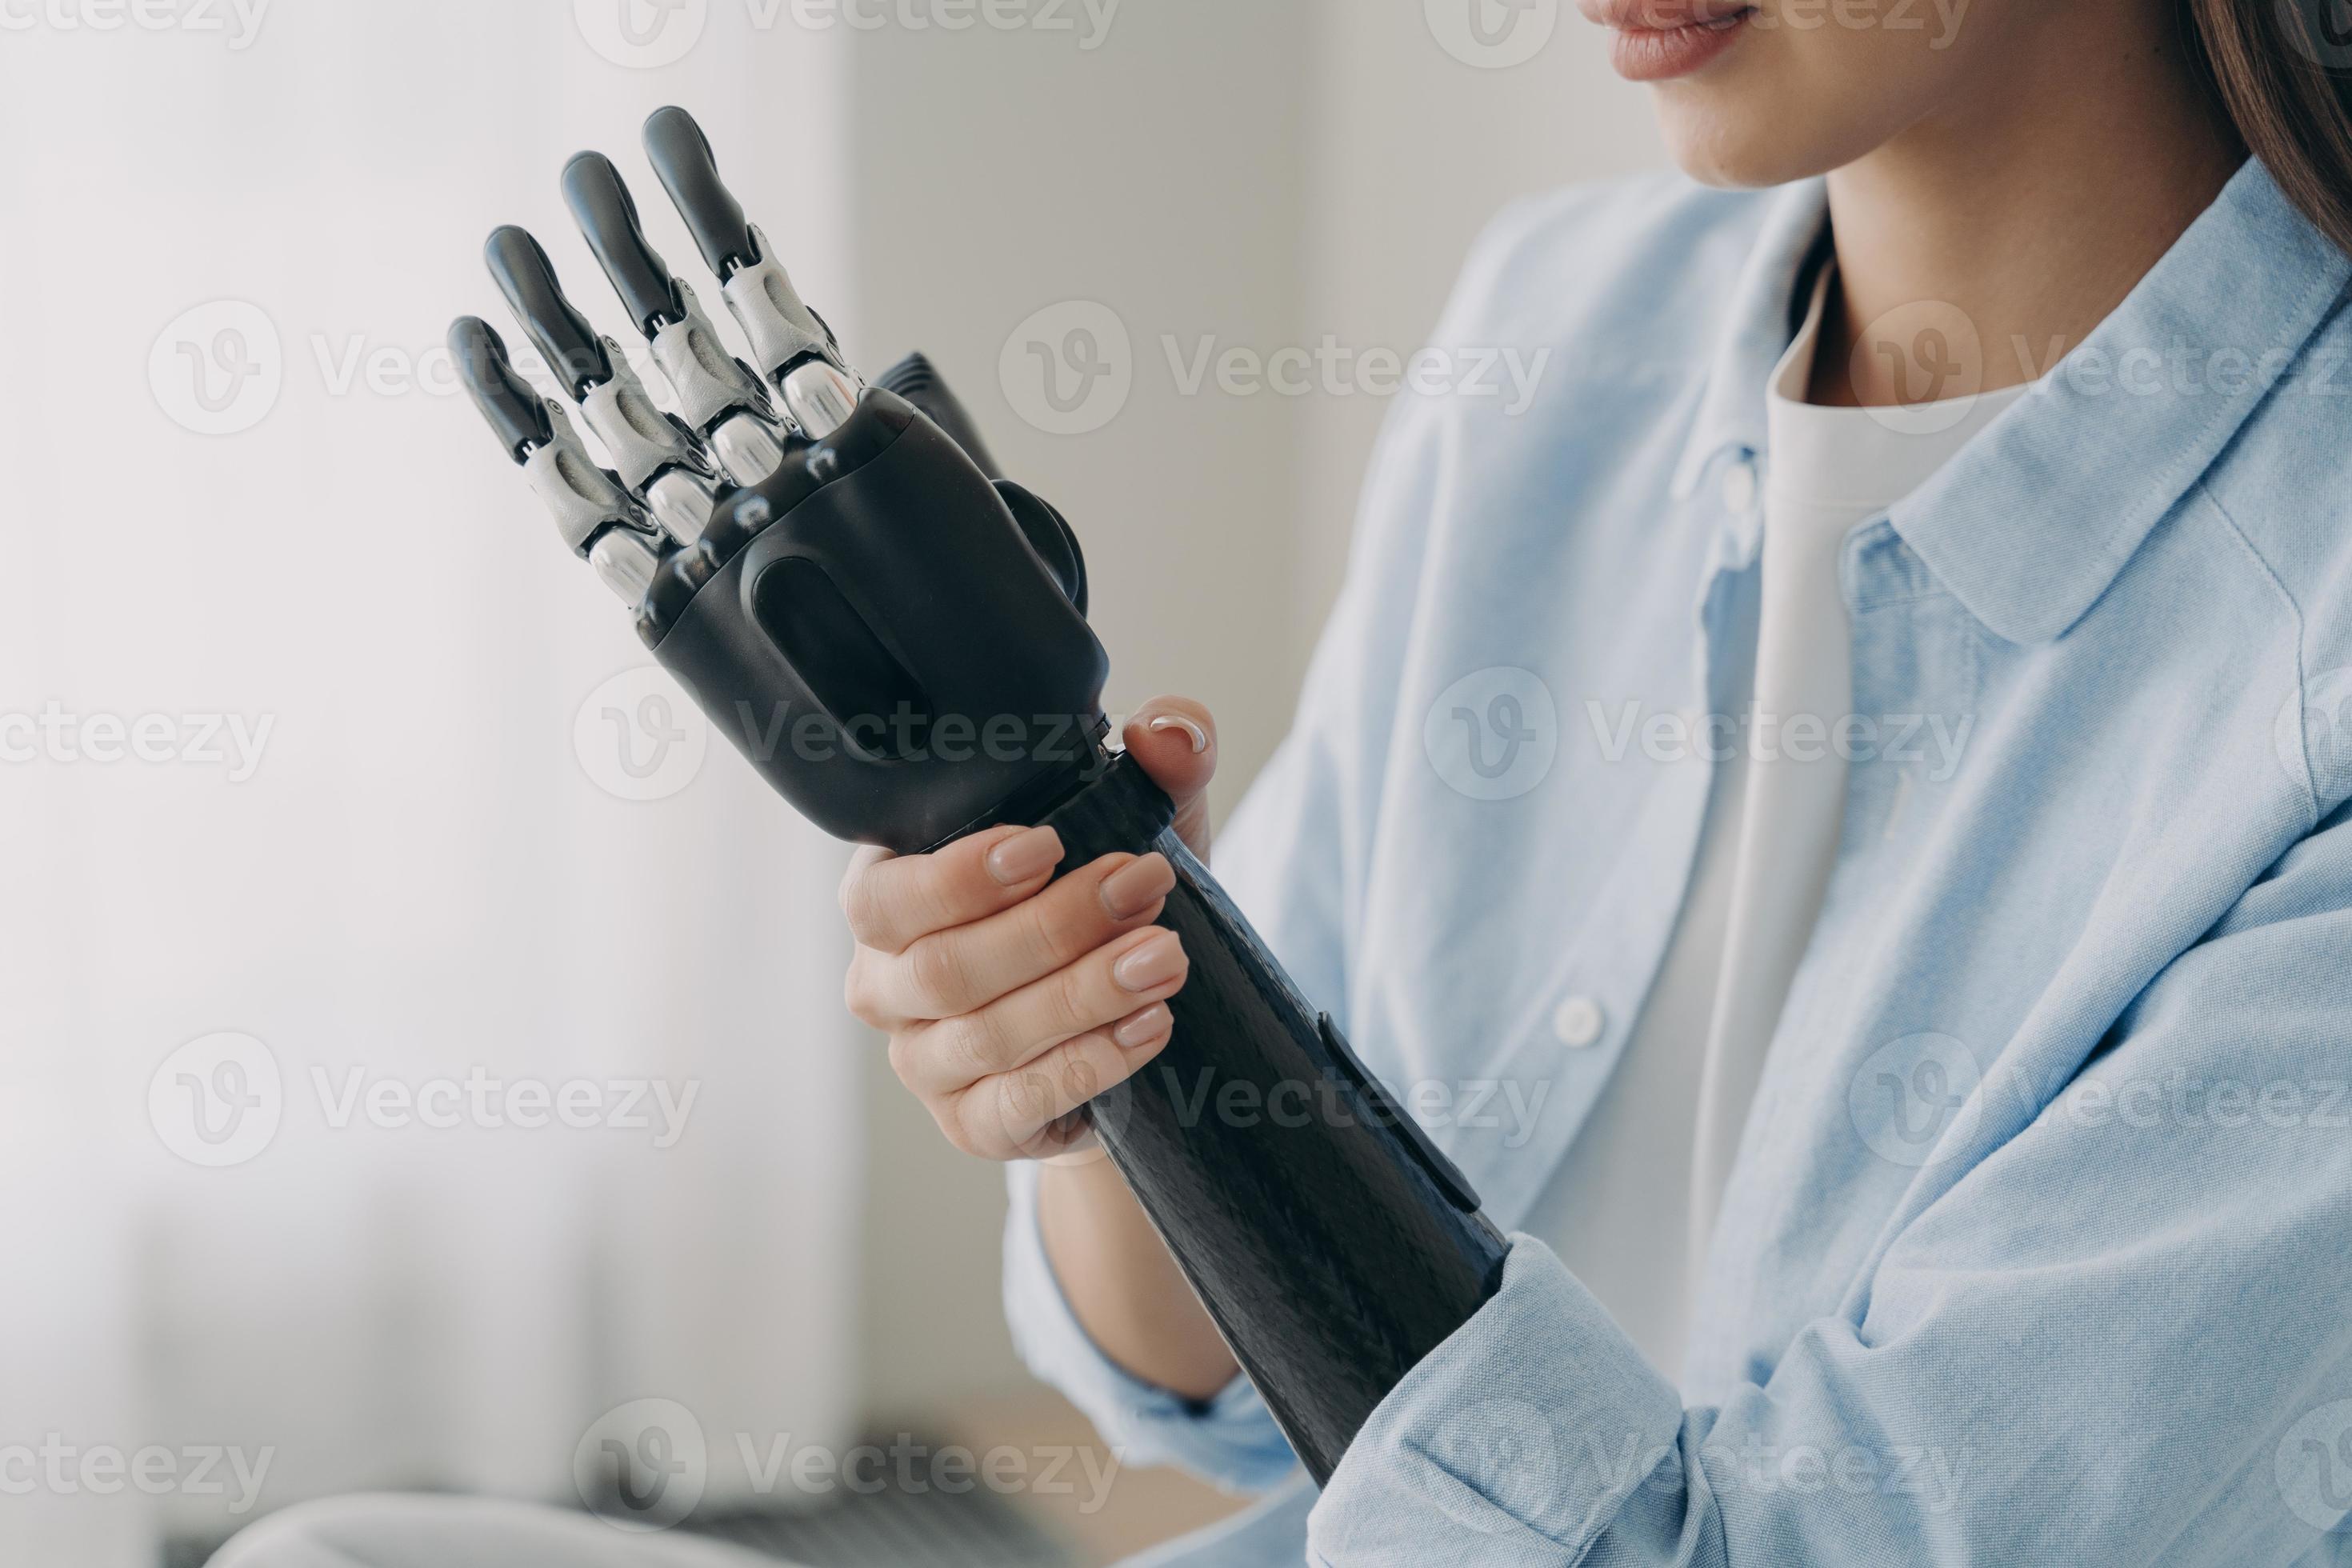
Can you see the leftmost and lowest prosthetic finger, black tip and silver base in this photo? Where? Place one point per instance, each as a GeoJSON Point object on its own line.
{"type": "Point", "coordinates": [594, 511]}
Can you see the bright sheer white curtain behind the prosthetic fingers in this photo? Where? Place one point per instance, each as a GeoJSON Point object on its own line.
{"type": "Point", "coordinates": [422, 876]}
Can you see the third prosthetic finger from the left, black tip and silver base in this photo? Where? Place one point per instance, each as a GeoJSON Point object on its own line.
{"type": "Point", "coordinates": [719, 396]}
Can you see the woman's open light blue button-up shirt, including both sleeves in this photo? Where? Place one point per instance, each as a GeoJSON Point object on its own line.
{"type": "Point", "coordinates": [2038, 1247]}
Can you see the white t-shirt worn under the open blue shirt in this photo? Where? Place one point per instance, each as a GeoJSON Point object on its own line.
{"type": "Point", "coordinates": [1633, 1202]}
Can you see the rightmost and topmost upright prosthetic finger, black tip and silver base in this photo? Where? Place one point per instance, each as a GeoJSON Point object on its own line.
{"type": "Point", "coordinates": [787, 337]}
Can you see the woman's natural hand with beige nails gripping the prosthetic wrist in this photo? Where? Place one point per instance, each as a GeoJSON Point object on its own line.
{"type": "Point", "coordinates": [1008, 1000]}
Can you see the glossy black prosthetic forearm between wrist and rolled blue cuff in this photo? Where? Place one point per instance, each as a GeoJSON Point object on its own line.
{"type": "Point", "coordinates": [1330, 1240]}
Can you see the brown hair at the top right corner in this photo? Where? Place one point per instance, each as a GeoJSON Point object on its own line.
{"type": "Point", "coordinates": [2283, 69]}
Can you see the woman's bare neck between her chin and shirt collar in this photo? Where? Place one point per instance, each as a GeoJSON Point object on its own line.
{"type": "Point", "coordinates": [2024, 222]}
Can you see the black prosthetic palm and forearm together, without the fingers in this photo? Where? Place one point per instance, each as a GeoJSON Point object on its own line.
{"type": "Point", "coordinates": [860, 626]}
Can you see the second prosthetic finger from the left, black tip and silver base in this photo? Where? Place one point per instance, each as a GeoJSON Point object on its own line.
{"type": "Point", "coordinates": [655, 455]}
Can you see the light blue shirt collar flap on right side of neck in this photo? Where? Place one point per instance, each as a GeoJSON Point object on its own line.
{"type": "Point", "coordinates": [2036, 518]}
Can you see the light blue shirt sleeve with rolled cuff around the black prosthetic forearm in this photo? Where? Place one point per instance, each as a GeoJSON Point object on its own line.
{"type": "Point", "coordinates": [2113, 1339]}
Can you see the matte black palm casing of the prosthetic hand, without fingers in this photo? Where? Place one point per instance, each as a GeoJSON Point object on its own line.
{"type": "Point", "coordinates": [888, 648]}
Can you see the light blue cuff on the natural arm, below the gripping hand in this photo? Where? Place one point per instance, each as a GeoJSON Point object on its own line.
{"type": "Point", "coordinates": [1229, 1440]}
